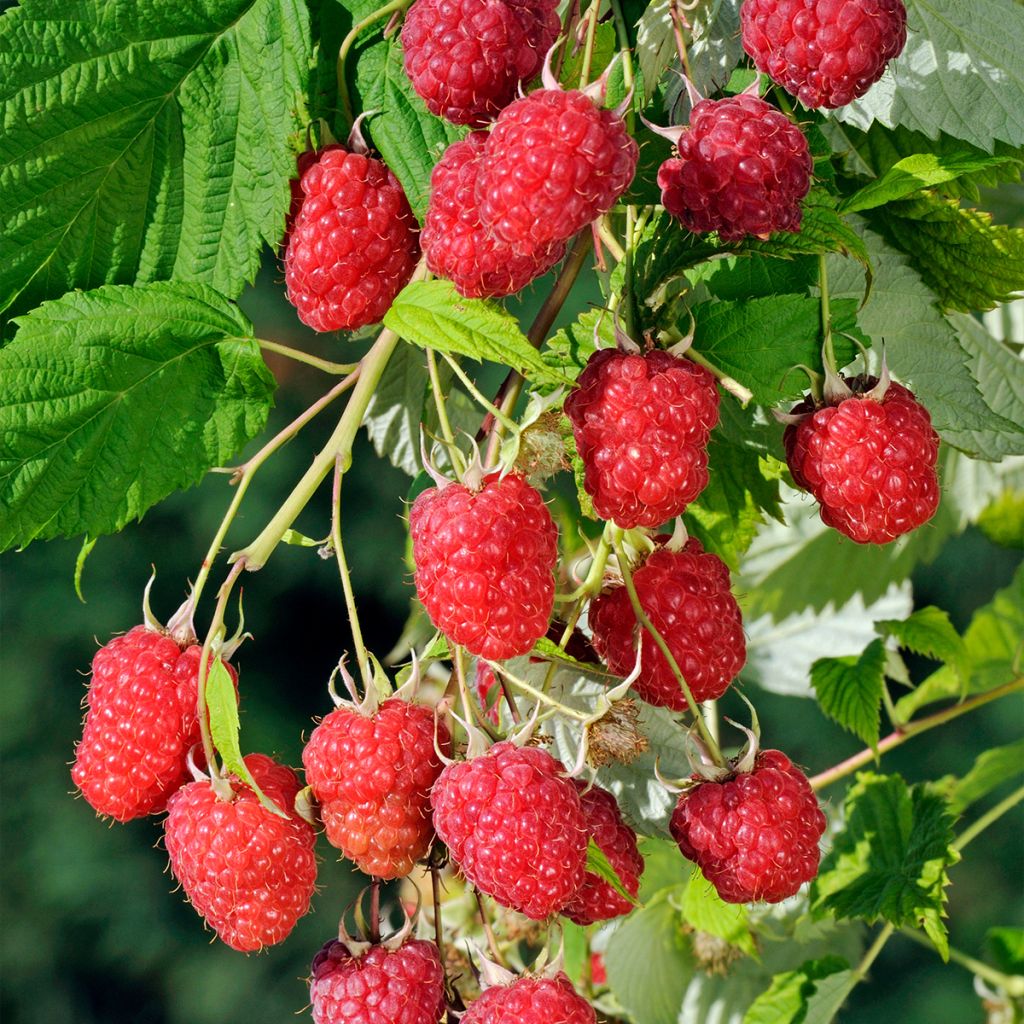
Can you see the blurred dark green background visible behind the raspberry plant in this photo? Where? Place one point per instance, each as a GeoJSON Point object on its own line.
{"type": "Point", "coordinates": [92, 929]}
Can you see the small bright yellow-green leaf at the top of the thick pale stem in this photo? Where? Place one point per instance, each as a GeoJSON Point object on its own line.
{"type": "Point", "coordinates": [433, 315]}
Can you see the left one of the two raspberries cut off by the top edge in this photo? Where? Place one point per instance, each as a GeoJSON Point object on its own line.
{"type": "Point", "coordinates": [467, 59]}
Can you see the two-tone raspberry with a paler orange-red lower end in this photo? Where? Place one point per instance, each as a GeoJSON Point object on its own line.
{"type": "Point", "coordinates": [372, 776]}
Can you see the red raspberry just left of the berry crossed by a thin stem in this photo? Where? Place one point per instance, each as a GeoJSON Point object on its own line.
{"type": "Point", "coordinates": [485, 564]}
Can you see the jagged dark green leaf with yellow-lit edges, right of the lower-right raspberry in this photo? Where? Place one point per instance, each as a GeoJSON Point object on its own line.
{"type": "Point", "coordinates": [890, 861]}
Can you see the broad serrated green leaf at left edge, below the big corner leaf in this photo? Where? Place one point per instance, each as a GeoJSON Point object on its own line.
{"type": "Point", "coordinates": [115, 399]}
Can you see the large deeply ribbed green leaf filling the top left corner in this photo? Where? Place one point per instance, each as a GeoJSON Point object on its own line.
{"type": "Point", "coordinates": [143, 142]}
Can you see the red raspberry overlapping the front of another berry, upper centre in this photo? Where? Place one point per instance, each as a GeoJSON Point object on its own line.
{"type": "Point", "coordinates": [553, 163]}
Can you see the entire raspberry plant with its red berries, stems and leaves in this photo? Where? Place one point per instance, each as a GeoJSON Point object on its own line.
{"type": "Point", "coordinates": [711, 479]}
